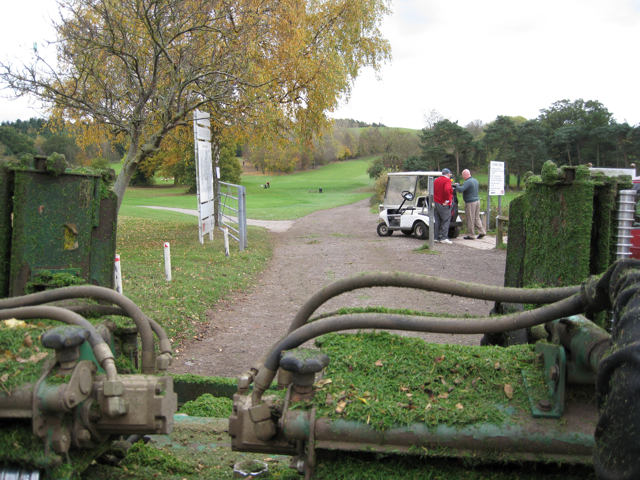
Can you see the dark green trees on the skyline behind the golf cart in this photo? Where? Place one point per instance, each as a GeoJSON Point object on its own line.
{"type": "Point", "coordinates": [569, 133]}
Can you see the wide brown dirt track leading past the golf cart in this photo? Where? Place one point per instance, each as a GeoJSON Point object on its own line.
{"type": "Point", "coordinates": [316, 251]}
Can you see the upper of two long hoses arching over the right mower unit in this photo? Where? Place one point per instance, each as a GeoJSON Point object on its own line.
{"type": "Point", "coordinates": [433, 284]}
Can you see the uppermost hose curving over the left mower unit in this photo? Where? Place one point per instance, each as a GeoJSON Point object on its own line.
{"type": "Point", "coordinates": [97, 293]}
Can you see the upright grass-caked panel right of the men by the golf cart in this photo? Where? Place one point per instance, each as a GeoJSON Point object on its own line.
{"type": "Point", "coordinates": [560, 233]}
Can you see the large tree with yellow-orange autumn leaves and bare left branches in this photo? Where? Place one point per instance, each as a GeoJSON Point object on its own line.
{"type": "Point", "coordinates": [137, 69]}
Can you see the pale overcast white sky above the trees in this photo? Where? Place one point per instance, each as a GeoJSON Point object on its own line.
{"type": "Point", "coordinates": [468, 59]}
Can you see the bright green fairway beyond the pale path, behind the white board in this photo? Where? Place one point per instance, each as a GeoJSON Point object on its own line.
{"type": "Point", "coordinates": [290, 196]}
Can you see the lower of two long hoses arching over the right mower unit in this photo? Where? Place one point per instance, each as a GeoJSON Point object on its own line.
{"type": "Point", "coordinates": [564, 308]}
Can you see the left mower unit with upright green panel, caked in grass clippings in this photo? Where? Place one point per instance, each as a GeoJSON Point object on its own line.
{"type": "Point", "coordinates": [58, 226]}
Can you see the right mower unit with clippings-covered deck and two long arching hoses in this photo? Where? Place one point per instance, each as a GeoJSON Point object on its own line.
{"type": "Point", "coordinates": [575, 400]}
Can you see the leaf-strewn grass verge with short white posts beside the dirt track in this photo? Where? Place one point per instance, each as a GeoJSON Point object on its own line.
{"type": "Point", "coordinates": [201, 274]}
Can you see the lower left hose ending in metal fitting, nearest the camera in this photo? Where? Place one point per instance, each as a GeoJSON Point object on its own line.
{"type": "Point", "coordinates": [100, 348]}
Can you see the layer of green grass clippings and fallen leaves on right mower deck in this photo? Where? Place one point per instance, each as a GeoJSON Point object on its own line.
{"type": "Point", "coordinates": [388, 380]}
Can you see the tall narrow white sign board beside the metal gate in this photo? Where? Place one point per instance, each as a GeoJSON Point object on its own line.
{"type": "Point", "coordinates": [204, 173]}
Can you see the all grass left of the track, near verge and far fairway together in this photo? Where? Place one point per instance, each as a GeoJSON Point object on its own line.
{"type": "Point", "coordinates": [201, 274]}
